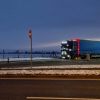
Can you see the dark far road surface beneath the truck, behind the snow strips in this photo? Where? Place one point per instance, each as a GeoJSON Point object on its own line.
{"type": "Point", "coordinates": [18, 64]}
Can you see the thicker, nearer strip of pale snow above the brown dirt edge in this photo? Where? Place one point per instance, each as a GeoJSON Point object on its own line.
{"type": "Point", "coordinates": [52, 72]}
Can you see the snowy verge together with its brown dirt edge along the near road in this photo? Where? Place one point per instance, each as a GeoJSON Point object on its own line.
{"type": "Point", "coordinates": [51, 73]}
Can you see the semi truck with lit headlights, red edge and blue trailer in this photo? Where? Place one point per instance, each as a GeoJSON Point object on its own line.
{"type": "Point", "coordinates": [80, 48]}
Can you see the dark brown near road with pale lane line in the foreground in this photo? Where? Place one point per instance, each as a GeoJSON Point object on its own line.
{"type": "Point", "coordinates": [31, 89]}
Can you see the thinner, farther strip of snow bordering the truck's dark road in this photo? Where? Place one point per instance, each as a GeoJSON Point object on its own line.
{"type": "Point", "coordinates": [54, 67]}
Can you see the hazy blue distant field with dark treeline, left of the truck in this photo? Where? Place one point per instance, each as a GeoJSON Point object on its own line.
{"type": "Point", "coordinates": [26, 53]}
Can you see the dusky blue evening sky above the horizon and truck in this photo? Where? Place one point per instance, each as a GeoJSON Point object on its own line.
{"type": "Point", "coordinates": [51, 21]}
